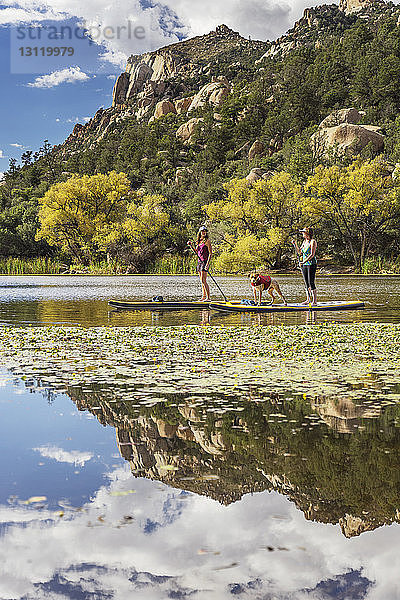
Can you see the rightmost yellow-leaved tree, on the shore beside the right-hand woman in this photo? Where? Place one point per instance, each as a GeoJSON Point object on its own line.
{"type": "Point", "coordinates": [358, 202]}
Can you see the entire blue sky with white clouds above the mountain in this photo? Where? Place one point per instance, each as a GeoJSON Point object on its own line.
{"type": "Point", "coordinates": [42, 98]}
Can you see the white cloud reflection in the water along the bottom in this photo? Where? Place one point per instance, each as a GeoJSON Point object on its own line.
{"type": "Point", "coordinates": [259, 547]}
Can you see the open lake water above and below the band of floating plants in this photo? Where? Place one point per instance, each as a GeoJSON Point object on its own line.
{"type": "Point", "coordinates": [105, 494]}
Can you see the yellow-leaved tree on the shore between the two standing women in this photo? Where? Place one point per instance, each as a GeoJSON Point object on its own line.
{"type": "Point", "coordinates": [256, 221]}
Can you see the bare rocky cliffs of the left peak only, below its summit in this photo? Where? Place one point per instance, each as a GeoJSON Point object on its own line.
{"type": "Point", "coordinates": [176, 79]}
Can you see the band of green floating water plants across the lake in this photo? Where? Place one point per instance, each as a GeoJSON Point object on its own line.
{"type": "Point", "coordinates": [351, 360]}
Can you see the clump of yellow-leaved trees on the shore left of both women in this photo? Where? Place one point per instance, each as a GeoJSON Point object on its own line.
{"type": "Point", "coordinates": [88, 215]}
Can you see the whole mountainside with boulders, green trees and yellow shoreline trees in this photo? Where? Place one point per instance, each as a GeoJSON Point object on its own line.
{"type": "Point", "coordinates": [253, 159]}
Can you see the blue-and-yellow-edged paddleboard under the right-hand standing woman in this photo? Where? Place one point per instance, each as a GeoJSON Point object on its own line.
{"type": "Point", "coordinates": [277, 308]}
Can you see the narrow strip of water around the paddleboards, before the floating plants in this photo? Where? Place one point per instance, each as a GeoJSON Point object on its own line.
{"type": "Point", "coordinates": [84, 300]}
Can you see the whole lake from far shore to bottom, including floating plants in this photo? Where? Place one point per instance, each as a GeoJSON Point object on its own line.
{"type": "Point", "coordinates": [153, 472]}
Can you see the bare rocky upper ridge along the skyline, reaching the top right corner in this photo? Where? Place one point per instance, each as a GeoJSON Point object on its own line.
{"type": "Point", "coordinates": [185, 76]}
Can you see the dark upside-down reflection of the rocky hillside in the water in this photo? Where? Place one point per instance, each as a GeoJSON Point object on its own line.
{"type": "Point", "coordinates": [228, 446]}
